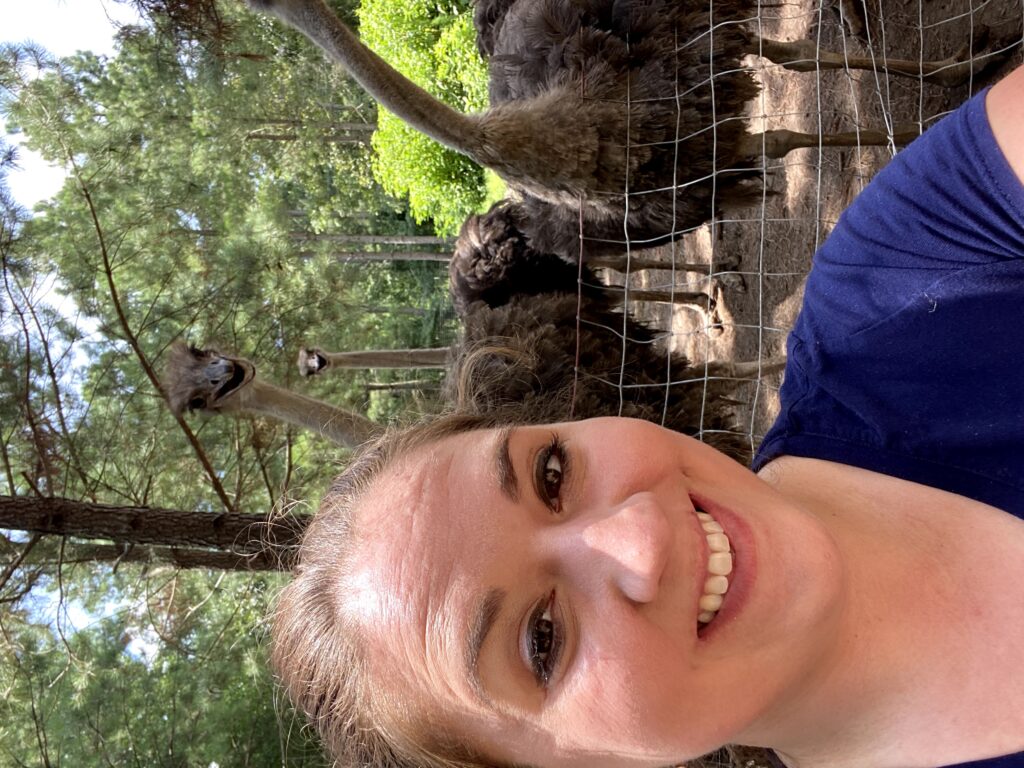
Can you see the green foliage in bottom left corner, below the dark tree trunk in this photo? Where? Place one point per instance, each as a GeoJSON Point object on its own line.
{"type": "Point", "coordinates": [173, 673]}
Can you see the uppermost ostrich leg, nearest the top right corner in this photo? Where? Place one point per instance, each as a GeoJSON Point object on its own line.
{"type": "Point", "coordinates": [804, 56]}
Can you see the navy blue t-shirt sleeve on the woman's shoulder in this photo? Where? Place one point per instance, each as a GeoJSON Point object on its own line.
{"type": "Point", "coordinates": [948, 202]}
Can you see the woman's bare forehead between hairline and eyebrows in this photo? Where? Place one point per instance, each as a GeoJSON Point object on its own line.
{"type": "Point", "coordinates": [410, 587]}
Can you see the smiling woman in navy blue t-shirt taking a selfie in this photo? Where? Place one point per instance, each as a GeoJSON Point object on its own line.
{"type": "Point", "coordinates": [611, 593]}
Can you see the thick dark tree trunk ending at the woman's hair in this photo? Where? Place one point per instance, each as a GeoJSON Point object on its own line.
{"type": "Point", "coordinates": [226, 532]}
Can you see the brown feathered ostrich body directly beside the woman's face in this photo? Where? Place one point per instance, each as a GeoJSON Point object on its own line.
{"type": "Point", "coordinates": [561, 357]}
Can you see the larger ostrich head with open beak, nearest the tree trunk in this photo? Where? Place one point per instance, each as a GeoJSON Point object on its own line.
{"type": "Point", "coordinates": [205, 379]}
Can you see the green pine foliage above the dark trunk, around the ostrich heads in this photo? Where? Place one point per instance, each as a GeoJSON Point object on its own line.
{"type": "Point", "coordinates": [214, 235]}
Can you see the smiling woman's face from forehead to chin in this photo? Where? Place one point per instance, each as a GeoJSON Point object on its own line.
{"type": "Point", "coordinates": [548, 594]}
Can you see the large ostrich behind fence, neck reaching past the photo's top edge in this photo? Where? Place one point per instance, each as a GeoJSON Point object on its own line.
{"type": "Point", "coordinates": [585, 118]}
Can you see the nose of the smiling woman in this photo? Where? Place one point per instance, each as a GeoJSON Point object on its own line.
{"type": "Point", "coordinates": [630, 546]}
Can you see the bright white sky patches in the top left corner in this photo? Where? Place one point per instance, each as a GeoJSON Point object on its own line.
{"type": "Point", "coordinates": [62, 27]}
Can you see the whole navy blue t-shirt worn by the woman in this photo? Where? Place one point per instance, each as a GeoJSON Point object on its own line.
{"type": "Point", "coordinates": [908, 358]}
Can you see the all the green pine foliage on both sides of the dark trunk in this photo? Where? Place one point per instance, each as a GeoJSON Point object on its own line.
{"type": "Point", "coordinates": [205, 201]}
